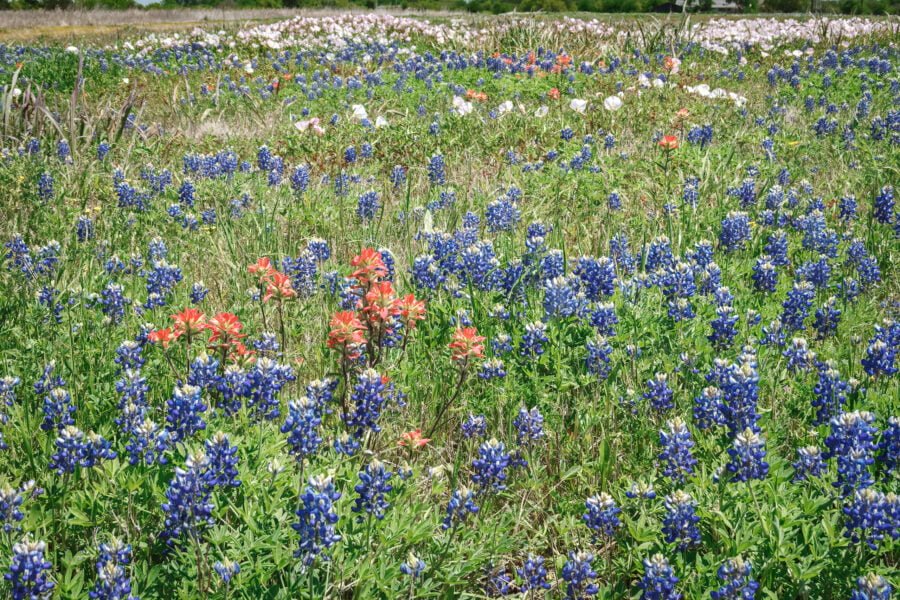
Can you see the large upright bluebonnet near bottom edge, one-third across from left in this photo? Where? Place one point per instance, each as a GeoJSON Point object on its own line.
{"type": "Point", "coordinates": [317, 516]}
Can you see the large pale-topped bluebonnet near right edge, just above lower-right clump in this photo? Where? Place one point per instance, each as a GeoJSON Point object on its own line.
{"type": "Point", "coordinates": [852, 443]}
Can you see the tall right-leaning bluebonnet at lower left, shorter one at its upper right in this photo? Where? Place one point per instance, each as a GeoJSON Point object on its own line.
{"type": "Point", "coordinates": [188, 507]}
